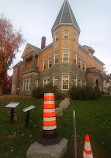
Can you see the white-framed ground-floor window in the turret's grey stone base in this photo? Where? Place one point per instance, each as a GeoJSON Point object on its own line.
{"type": "Point", "coordinates": [65, 82]}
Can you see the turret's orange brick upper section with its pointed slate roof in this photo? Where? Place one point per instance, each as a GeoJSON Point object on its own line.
{"type": "Point", "coordinates": [65, 32]}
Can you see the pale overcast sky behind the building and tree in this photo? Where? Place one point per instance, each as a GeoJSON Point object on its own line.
{"type": "Point", "coordinates": [36, 18]}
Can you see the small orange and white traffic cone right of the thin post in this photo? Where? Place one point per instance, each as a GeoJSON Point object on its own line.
{"type": "Point", "coordinates": [87, 153]}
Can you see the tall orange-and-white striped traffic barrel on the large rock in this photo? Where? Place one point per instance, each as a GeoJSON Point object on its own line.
{"type": "Point", "coordinates": [49, 116]}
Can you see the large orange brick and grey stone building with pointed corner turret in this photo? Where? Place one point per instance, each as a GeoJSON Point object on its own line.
{"type": "Point", "coordinates": [63, 63]}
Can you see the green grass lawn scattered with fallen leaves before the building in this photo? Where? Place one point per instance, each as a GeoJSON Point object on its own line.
{"type": "Point", "coordinates": [92, 117]}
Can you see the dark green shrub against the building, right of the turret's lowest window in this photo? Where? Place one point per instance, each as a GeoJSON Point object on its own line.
{"type": "Point", "coordinates": [83, 93]}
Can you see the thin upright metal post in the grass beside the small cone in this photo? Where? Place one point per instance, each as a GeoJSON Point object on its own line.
{"type": "Point", "coordinates": [75, 141]}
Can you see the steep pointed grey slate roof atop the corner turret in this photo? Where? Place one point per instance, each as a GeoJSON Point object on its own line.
{"type": "Point", "coordinates": [66, 16]}
